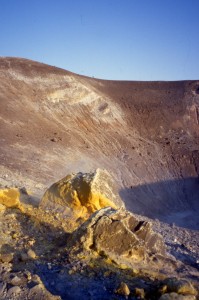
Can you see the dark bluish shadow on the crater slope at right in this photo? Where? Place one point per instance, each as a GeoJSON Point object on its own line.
{"type": "Point", "coordinates": [172, 201]}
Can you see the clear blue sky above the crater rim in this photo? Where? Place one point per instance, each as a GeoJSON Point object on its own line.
{"type": "Point", "coordinates": [109, 39]}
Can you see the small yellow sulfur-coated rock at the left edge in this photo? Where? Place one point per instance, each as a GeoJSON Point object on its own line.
{"type": "Point", "coordinates": [10, 197]}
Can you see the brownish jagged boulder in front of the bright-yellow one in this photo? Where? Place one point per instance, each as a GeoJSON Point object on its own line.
{"type": "Point", "coordinates": [117, 235]}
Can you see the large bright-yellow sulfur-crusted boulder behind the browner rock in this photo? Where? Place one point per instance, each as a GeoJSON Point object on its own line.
{"type": "Point", "coordinates": [79, 195]}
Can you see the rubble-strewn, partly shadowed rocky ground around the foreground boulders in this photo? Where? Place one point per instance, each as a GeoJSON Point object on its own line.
{"type": "Point", "coordinates": [36, 262]}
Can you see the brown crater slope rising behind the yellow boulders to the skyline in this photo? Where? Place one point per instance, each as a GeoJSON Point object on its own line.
{"type": "Point", "coordinates": [54, 122]}
